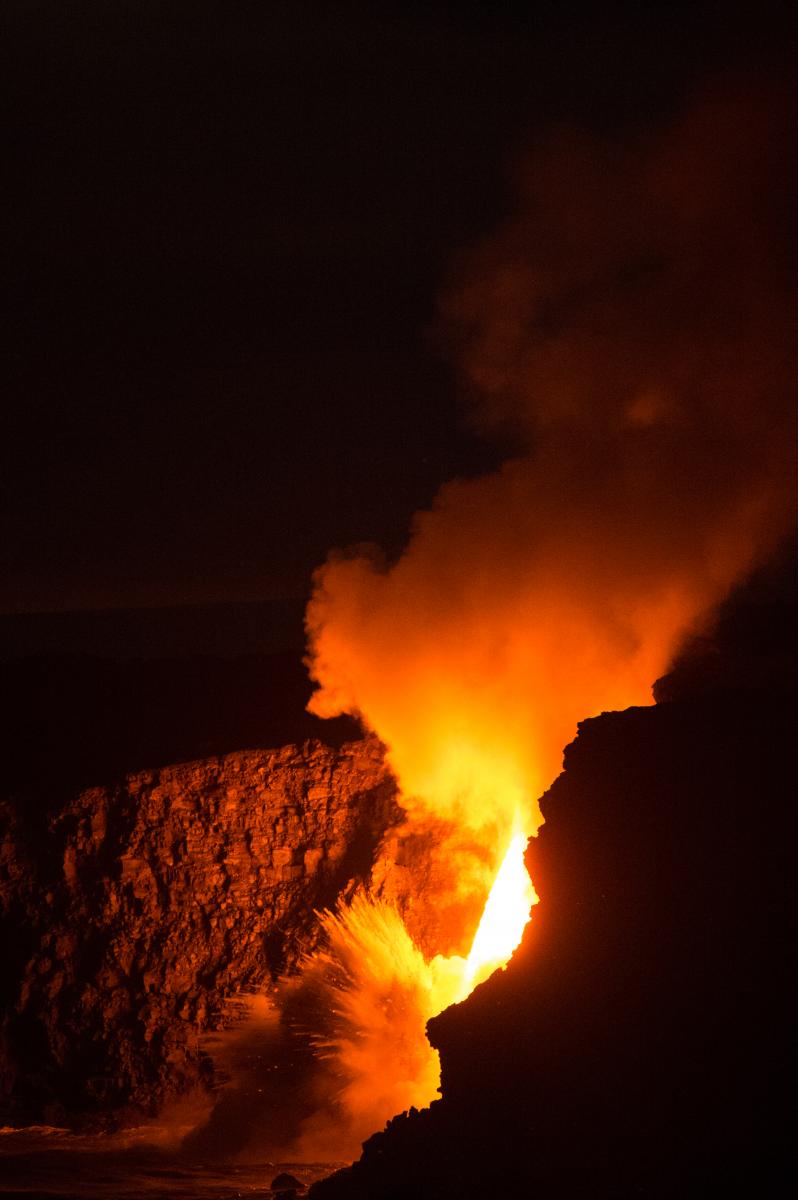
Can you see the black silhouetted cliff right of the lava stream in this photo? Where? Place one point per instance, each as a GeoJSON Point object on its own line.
{"type": "Point", "coordinates": [640, 1041]}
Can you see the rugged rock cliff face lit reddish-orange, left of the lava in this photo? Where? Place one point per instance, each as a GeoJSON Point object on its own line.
{"type": "Point", "coordinates": [133, 913]}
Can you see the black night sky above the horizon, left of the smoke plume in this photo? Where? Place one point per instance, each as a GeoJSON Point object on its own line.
{"type": "Point", "coordinates": [231, 224]}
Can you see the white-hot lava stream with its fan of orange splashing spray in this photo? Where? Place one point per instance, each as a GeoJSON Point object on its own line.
{"type": "Point", "coordinates": [382, 992]}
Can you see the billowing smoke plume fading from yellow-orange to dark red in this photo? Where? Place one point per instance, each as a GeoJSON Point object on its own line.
{"type": "Point", "coordinates": [632, 329]}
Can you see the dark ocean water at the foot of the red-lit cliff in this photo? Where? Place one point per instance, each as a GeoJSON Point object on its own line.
{"type": "Point", "coordinates": [55, 1165]}
